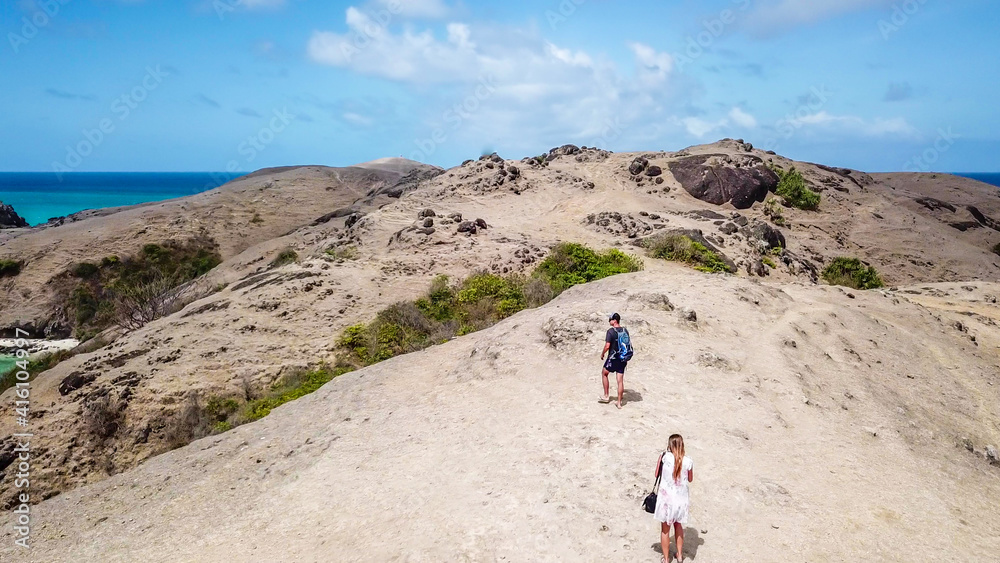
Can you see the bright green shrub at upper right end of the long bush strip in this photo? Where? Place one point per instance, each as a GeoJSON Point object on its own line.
{"type": "Point", "coordinates": [570, 264]}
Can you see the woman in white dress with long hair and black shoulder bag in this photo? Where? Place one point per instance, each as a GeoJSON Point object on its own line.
{"type": "Point", "coordinates": [673, 500]}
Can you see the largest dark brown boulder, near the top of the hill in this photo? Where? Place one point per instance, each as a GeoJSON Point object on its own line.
{"type": "Point", "coordinates": [719, 178]}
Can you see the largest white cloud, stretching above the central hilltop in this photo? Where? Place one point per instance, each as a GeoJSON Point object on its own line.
{"type": "Point", "coordinates": [539, 92]}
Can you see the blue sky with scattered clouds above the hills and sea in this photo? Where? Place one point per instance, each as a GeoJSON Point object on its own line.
{"type": "Point", "coordinates": [184, 85]}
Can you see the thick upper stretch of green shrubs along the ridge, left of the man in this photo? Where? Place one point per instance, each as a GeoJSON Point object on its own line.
{"type": "Point", "coordinates": [478, 302]}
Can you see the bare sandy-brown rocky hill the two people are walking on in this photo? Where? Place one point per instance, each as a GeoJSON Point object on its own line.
{"type": "Point", "coordinates": [876, 387]}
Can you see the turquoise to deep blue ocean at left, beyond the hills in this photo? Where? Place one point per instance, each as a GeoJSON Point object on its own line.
{"type": "Point", "coordinates": [40, 196]}
